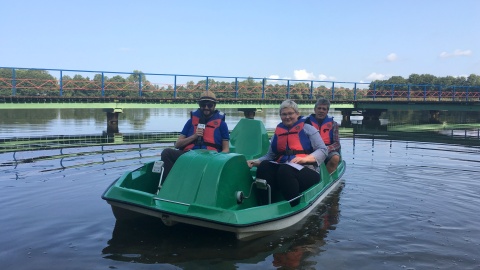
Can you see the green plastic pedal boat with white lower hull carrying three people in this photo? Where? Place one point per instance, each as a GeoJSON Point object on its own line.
{"type": "Point", "coordinates": [216, 190]}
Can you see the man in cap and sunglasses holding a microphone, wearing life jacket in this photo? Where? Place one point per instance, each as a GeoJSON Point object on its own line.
{"type": "Point", "coordinates": [206, 129]}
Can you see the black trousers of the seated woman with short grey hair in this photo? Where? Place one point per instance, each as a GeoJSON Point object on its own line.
{"type": "Point", "coordinates": [290, 181]}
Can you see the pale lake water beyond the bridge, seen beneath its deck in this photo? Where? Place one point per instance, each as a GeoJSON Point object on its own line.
{"type": "Point", "coordinates": [20, 123]}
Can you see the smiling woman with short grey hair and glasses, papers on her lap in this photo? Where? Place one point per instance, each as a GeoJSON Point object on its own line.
{"type": "Point", "coordinates": [291, 164]}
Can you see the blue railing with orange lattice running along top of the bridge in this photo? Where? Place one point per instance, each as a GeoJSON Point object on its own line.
{"type": "Point", "coordinates": [38, 82]}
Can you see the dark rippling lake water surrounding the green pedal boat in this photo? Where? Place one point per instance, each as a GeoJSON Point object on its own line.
{"type": "Point", "coordinates": [404, 205]}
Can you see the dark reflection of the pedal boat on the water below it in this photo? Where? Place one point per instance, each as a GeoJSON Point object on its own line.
{"type": "Point", "coordinates": [149, 241]}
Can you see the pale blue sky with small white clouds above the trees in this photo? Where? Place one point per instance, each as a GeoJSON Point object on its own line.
{"type": "Point", "coordinates": [349, 41]}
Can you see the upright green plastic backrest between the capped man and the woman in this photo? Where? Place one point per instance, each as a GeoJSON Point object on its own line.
{"type": "Point", "coordinates": [249, 138]}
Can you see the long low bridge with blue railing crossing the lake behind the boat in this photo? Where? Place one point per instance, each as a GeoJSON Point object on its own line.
{"type": "Point", "coordinates": [34, 88]}
